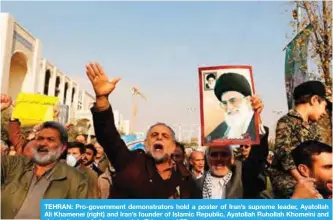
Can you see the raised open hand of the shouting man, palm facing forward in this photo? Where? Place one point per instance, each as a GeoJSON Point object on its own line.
{"type": "Point", "coordinates": [99, 80]}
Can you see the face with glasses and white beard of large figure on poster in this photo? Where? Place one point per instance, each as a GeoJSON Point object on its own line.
{"type": "Point", "coordinates": [236, 106]}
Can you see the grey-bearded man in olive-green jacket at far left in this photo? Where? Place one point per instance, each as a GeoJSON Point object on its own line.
{"type": "Point", "coordinates": [25, 181]}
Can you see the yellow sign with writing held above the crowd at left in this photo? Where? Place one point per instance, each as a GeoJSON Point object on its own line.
{"type": "Point", "coordinates": [32, 109]}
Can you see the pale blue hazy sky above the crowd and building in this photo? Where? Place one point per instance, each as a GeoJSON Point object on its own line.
{"type": "Point", "coordinates": [158, 46]}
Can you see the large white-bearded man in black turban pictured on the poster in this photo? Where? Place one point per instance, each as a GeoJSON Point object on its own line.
{"type": "Point", "coordinates": [235, 95]}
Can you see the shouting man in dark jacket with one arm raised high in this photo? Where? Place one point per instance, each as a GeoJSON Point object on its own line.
{"type": "Point", "coordinates": [139, 175]}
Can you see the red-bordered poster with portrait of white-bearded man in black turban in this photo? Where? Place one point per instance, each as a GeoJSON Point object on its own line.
{"type": "Point", "coordinates": [227, 116]}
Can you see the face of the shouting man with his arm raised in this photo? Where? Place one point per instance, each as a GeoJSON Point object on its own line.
{"type": "Point", "coordinates": [160, 143]}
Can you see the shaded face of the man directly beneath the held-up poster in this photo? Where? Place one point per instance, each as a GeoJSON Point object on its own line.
{"type": "Point", "coordinates": [219, 160]}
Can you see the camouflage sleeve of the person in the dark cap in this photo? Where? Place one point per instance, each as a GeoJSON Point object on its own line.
{"type": "Point", "coordinates": [283, 143]}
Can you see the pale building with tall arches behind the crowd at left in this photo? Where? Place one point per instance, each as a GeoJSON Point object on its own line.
{"type": "Point", "coordinates": [24, 70]}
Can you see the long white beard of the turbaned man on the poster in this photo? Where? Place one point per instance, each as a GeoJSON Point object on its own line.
{"type": "Point", "coordinates": [236, 121]}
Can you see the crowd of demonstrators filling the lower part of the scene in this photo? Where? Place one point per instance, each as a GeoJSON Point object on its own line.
{"type": "Point", "coordinates": [43, 164]}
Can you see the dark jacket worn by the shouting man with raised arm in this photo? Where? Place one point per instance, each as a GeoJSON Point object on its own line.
{"type": "Point", "coordinates": [136, 174]}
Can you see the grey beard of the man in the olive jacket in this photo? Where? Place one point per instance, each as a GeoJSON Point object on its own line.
{"type": "Point", "coordinates": [50, 157]}
